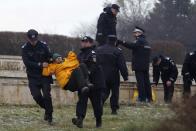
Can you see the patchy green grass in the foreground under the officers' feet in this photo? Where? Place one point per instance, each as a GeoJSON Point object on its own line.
{"type": "Point", "coordinates": [129, 118]}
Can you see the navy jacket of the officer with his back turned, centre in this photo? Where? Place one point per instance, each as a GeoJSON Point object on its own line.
{"type": "Point", "coordinates": [112, 60]}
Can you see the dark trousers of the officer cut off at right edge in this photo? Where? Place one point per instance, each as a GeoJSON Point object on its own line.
{"type": "Point", "coordinates": [187, 82]}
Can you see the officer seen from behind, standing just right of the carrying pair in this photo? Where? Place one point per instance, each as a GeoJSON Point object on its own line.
{"type": "Point", "coordinates": [112, 61]}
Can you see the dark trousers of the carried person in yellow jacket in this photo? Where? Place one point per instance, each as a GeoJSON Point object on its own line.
{"type": "Point", "coordinates": [78, 79]}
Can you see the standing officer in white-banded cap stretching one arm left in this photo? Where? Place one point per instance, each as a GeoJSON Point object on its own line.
{"type": "Point", "coordinates": [140, 63]}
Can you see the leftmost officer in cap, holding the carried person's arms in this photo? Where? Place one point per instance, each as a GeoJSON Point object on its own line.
{"type": "Point", "coordinates": [36, 55]}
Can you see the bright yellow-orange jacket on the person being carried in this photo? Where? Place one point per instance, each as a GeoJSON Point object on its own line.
{"type": "Point", "coordinates": [62, 71]}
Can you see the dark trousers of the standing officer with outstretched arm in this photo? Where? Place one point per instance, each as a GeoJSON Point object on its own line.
{"type": "Point", "coordinates": [143, 85]}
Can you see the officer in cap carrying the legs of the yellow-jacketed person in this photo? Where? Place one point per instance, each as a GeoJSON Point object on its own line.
{"type": "Point", "coordinates": [88, 56]}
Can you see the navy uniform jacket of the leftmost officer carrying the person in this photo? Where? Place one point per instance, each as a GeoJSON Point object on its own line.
{"type": "Point", "coordinates": [33, 57]}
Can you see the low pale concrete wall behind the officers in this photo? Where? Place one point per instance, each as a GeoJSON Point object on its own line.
{"type": "Point", "coordinates": [14, 85]}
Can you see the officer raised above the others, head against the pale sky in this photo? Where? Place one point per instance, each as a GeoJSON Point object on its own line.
{"type": "Point", "coordinates": [106, 25]}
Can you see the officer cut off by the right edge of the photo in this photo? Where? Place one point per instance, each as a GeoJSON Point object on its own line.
{"type": "Point", "coordinates": [189, 72]}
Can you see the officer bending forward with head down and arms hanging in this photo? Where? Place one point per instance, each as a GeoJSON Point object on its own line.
{"type": "Point", "coordinates": [165, 67]}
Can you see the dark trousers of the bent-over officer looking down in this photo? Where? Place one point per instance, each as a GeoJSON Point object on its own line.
{"type": "Point", "coordinates": [168, 91]}
